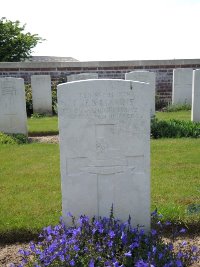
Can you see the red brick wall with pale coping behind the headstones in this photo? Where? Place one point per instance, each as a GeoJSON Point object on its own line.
{"type": "Point", "coordinates": [113, 70]}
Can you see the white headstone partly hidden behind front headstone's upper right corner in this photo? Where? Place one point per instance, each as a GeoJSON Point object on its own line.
{"type": "Point", "coordinates": [147, 77]}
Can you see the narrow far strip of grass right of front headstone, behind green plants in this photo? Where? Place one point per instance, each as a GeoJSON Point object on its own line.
{"type": "Point", "coordinates": [178, 115]}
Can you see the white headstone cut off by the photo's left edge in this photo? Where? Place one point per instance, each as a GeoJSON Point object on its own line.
{"type": "Point", "coordinates": [13, 118]}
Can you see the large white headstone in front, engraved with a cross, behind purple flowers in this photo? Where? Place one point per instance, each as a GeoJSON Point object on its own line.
{"type": "Point", "coordinates": [104, 128]}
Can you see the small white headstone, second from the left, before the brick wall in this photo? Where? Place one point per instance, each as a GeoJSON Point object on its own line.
{"type": "Point", "coordinates": [41, 93]}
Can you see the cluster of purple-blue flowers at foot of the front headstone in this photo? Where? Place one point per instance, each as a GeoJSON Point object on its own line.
{"type": "Point", "coordinates": [104, 242]}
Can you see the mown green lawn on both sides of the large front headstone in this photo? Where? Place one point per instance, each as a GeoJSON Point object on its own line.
{"type": "Point", "coordinates": [30, 194]}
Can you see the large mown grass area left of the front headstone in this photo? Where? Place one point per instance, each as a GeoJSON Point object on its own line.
{"type": "Point", "coordinates": [29, 188]}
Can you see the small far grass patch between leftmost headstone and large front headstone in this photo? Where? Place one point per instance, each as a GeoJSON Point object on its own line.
{"type": "Point", "coordinates": [43, 126]}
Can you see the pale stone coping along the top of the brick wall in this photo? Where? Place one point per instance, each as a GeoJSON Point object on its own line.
{"type": "Point", "coordinates": [100, 64]}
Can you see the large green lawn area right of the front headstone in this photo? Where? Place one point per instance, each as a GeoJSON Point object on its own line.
{"type": "Point", "coordinates": [175, 177]}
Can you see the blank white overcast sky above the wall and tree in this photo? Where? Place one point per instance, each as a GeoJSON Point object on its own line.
{"type": "Point", "coordinates": [91, 30]}
